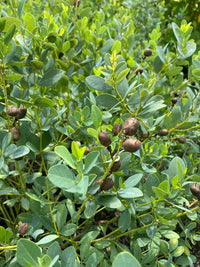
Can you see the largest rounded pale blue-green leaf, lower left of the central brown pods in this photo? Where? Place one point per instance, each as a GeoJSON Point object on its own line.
{"type": "Point", "coordinates": [61, 176]}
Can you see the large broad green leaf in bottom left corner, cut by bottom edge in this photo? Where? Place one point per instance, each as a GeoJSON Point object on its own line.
{"type": "Point", "coordinates": [27, 252]}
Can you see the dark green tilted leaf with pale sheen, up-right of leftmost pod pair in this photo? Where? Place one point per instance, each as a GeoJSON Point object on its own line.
{"type": "Point", "coordinates": [51, 77]}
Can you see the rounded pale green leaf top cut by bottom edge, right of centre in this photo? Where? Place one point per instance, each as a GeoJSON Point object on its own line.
{"type": "Point", "coordinates": [125, 259]}
